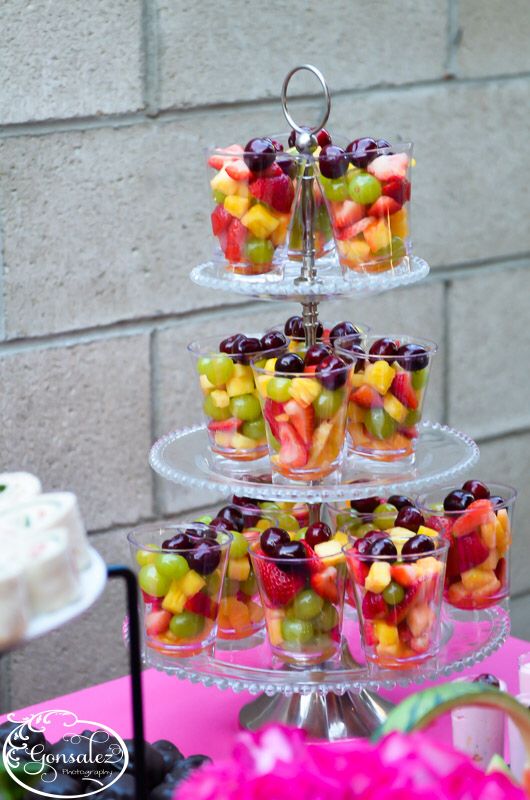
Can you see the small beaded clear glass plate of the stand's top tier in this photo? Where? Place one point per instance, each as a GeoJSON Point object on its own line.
{"type": "Point", "coordinates": [331, 282]}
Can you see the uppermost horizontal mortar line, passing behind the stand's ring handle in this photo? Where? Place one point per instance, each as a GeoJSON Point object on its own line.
{"type": "Point", "coordinates": [174, 114]}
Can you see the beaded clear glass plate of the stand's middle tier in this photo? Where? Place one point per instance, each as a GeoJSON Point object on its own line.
{"type": "Point", "coordinates": [442, 454]}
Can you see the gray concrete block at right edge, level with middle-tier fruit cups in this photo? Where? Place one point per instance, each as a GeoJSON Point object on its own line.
{"type": "Point", "coordinates": [489, 346]}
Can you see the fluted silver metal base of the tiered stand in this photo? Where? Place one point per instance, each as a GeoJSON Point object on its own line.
{"type": "Point", "coordinates": [328, 716]}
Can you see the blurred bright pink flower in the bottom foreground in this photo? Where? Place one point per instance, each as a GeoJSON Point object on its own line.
{"type": "Point", "coordinates": [277, 764]}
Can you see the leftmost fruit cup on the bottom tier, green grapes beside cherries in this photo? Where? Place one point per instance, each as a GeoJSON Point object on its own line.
{"type": "Point", "coordinates": [180, 573]}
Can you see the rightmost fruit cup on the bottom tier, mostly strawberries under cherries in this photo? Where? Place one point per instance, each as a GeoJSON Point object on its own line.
{"type": "Point", "coordinates": [477, 522]}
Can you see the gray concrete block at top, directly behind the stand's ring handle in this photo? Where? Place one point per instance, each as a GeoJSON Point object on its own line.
{"type": "Point", "coordinates": [229, 51]}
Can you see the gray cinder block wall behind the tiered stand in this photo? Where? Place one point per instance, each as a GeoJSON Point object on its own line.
{"type": "Point", "coordinates": [105, 108]}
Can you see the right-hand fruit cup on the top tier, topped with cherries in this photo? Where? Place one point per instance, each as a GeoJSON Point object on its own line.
{"type": "Point", "coordinates": [367, 189]}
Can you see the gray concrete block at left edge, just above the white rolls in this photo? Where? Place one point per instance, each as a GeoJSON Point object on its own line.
{"type": "Point", "coordinates": [79, 417]}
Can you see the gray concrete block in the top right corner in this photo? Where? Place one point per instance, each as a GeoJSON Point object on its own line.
{"type": "Point", "coordinates": [494, 37]}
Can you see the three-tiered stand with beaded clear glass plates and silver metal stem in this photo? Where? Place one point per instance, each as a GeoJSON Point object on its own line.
{"type": "Point", "coordinates": [339, 700]}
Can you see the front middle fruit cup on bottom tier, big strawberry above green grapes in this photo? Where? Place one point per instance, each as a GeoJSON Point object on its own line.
{"type": "Point", "coordinates": [303, 600]}
